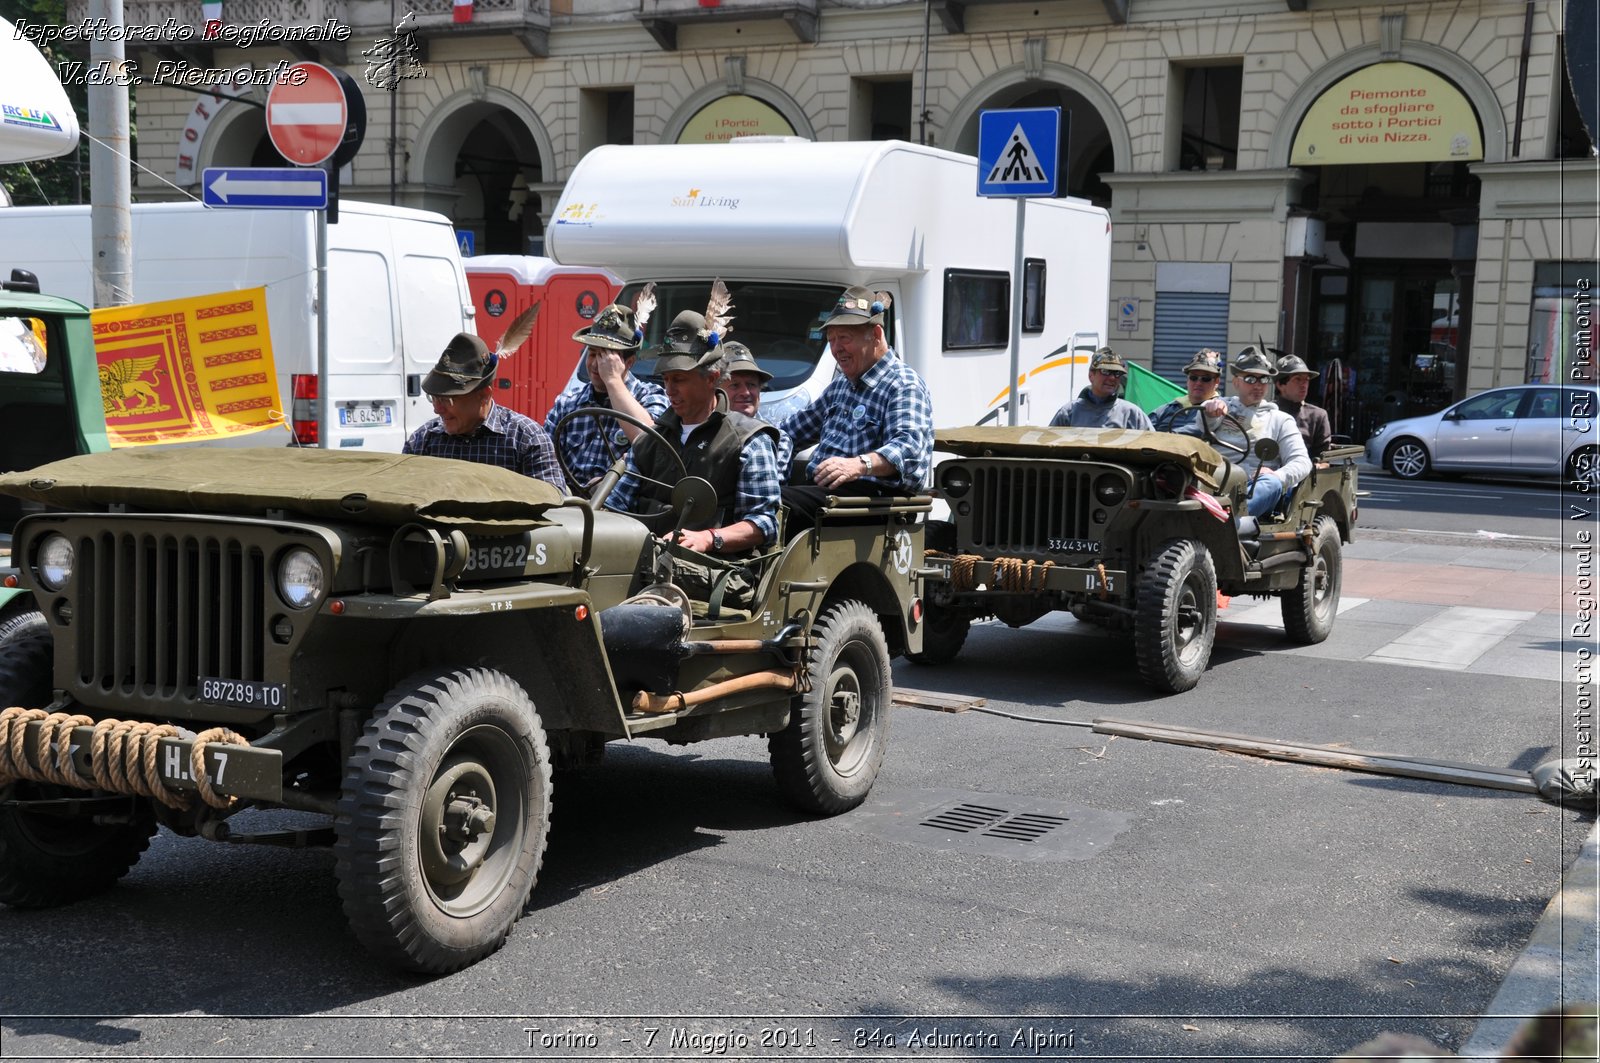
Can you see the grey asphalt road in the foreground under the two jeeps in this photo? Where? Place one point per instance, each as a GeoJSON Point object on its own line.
{"type": "Point", "coordinates": [1186, 902]}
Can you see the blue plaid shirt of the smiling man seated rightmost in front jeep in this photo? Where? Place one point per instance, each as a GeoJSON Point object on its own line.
{"type": "Point", "coordinates": [887, 412]}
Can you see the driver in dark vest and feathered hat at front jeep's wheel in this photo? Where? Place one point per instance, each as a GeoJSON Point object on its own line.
{"type": "Point", "coordinates": [735, 454]}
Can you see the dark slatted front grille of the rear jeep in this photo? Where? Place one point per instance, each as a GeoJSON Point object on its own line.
{"type": "Point", "coordinates": [1022, 508]}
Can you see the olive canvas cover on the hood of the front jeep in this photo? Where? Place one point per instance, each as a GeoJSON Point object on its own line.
{"type": "Point", "coordinates": [318, 484]}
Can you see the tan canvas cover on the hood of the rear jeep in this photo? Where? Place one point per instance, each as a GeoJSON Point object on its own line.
{"type": "Point", "coordinates": [1097, 444]}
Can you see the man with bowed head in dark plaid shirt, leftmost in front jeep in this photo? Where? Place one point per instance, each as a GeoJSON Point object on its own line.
{"type": "Point", "coordinates": [470, 425]}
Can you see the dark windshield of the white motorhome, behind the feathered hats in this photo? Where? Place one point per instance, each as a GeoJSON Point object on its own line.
{"type": "Point", "coordinates": [780, 323]}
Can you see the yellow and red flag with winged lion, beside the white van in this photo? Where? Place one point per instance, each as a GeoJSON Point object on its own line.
{"type": "Point", "coordinates": [188, 369]}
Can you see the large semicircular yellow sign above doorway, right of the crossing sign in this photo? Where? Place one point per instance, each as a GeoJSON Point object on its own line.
{"type": "Point", "coordinates": [1388, 113]}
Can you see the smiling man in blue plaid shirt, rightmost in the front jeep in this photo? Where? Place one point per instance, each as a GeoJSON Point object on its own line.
{"type": "Point", "coordinates": [873, 425]}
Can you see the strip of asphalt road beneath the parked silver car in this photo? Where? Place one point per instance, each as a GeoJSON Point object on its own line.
{"type": "Point", "coordinates": [1479, 507]}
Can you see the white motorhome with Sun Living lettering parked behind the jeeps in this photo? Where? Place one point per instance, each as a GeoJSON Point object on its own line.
{"type": "Point", "coordinates": [788, 225]}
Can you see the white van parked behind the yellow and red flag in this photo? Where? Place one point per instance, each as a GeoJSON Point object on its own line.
{"type": "Point", "coordinates": [396, 297]}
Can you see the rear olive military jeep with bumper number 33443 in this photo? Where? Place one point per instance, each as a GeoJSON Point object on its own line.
{"type": "Point", "coordinates": [1135, 532]}
